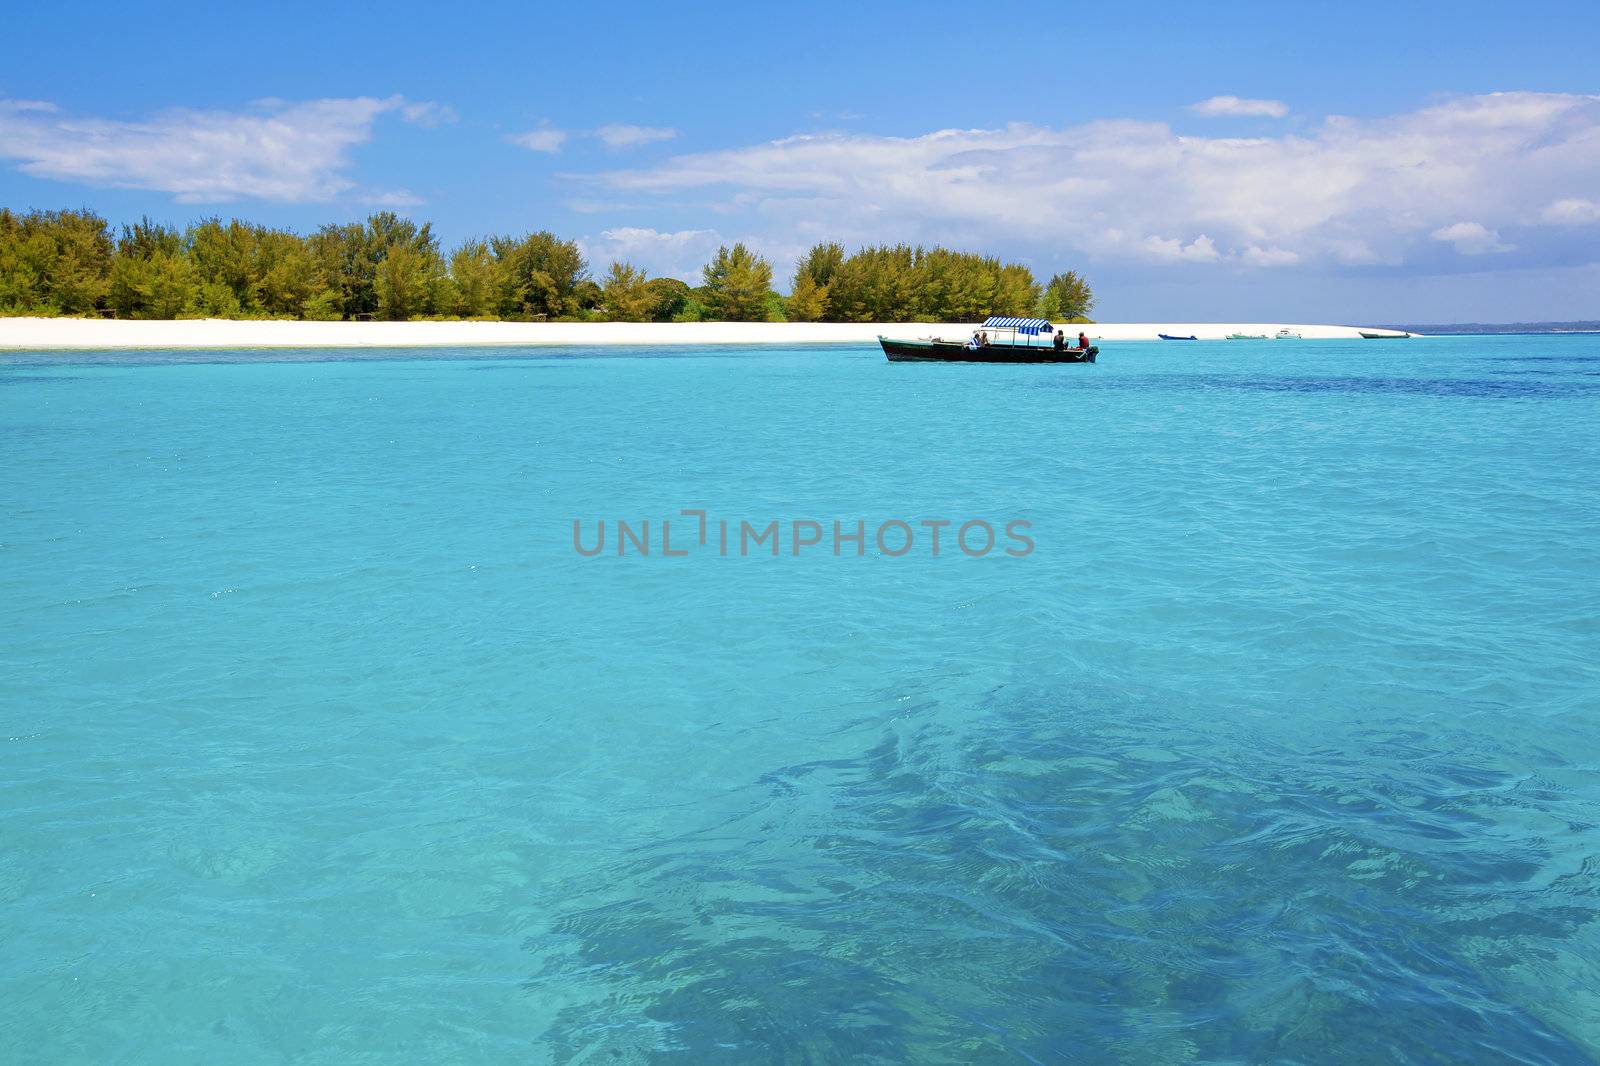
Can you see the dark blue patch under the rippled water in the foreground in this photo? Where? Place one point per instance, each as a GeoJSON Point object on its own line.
{"type": "Point", "coordinates": [1212, 900]}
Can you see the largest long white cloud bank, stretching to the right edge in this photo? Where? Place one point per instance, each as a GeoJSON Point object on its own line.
{"type": "Point", "coordinates": [1350, 193]}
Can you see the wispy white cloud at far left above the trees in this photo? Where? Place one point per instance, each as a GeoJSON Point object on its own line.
{"type": "Point", "coordinates": [273, 151]}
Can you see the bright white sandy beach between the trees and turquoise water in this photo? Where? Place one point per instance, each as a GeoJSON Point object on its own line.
{"type": "Point", "coordinates": [100, 334]}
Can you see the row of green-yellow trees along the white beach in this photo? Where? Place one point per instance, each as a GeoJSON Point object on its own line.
{"type": "Point", "coordinates": [73, 263]}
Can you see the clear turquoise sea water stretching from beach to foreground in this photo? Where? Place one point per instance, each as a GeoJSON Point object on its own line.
{"type": "Point", "coordinates": [321, 745]}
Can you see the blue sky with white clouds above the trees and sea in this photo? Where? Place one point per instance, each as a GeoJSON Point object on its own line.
{"type": "Point", "coordinates": [1361, 162]}
